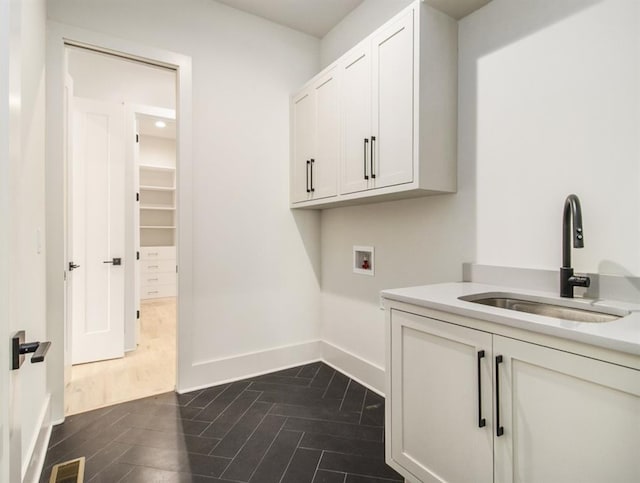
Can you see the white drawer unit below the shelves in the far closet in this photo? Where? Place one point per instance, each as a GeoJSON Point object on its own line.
{"type": "Point", "coordinates": [157, 272]}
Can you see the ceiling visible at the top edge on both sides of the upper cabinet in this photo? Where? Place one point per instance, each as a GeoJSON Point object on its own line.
{"type": "Point", "coordinates": [317, 17]}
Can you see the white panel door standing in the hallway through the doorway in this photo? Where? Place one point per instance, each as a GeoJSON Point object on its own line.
{"type": "Point", "coordinates": [98, 231]}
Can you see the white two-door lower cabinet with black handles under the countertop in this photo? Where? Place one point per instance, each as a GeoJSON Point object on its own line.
{"type": "Point", "coordinates": [467, 405]}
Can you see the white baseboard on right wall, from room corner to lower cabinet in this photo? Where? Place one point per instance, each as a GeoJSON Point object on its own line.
{"type": "Point", "coordinates": [358, 369]}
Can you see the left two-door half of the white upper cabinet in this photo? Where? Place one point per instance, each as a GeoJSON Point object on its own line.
{"type": "Point", "coordinates": [315, 150]}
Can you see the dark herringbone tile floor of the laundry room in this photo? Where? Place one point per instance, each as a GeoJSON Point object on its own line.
{"type": "Point", "coordinates": [301, 425]}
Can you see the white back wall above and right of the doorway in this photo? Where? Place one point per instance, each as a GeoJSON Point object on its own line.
{"type": "Point", "coordinates": [255, 263]}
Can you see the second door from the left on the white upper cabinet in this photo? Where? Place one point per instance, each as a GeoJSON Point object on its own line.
{"type": "Point", "coordinates": [326, 160]}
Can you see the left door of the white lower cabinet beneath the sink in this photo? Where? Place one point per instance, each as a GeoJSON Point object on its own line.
{"type": "Point", "coordinates": [440, 414]}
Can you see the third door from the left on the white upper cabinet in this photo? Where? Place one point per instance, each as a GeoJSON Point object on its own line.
{"type": "Point", "coordinates": [356, 119]}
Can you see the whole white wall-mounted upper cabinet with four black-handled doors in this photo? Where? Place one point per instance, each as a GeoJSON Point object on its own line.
{"type": "Point", "coordinates": [397, 92]}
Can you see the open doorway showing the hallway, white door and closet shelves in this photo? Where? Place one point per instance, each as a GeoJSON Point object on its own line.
{"type": "Point", "coordinates": [121, 236]}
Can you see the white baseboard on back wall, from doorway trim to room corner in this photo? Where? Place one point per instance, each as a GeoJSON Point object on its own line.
{"type": "Point", "coordinates": [235, 368]}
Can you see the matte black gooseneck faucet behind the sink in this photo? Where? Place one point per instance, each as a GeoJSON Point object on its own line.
{"type": "Point", "coordinates": [567, 279]}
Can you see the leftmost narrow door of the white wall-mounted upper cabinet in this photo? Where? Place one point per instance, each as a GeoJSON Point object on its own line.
{"type": "Point", "coordinates": [303, 112]}
